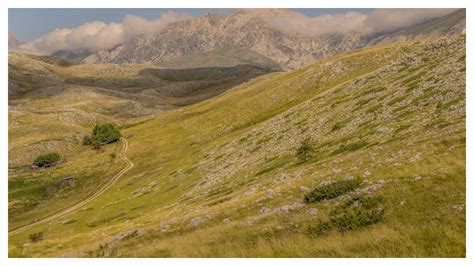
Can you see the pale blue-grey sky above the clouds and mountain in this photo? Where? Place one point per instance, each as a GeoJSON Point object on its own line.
{"type": "Point", "coordinates": [29, 24]}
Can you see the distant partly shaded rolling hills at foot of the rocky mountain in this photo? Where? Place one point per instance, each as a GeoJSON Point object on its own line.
{"type": "Point", "coordinates": [174, 83]}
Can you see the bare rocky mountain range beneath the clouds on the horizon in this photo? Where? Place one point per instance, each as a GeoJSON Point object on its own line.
{"type": "Point", "coordinates": [250, 29]}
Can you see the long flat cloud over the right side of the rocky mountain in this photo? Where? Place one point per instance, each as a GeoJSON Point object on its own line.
{"type": "Point", "coordinates": [379, 20]}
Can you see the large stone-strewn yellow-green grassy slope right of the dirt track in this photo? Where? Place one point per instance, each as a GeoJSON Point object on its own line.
{"type": "Point", "coordinates": [385, 127]}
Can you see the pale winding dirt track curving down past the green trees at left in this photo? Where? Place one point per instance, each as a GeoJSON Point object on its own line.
{"type": "Point", "coordinates": [89, 199]}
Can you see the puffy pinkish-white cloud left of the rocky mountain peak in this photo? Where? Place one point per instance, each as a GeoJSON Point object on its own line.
{"type": "Point", "coordinates": [98, 35]}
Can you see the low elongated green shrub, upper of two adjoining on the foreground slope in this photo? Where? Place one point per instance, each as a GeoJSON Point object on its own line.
{"type": "Point", "coordinates": [331, 191]}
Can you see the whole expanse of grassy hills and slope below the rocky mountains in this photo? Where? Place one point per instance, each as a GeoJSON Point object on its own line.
{"type": "Point", "coordinates": [215, 143]}
